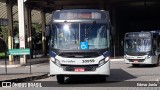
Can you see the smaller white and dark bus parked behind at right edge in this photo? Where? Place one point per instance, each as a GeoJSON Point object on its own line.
{"type": "Point", "coordinates": [142, 48]}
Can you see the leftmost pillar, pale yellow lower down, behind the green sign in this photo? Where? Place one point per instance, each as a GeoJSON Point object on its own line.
{"type": "Point", "coordinates": [10, 26]}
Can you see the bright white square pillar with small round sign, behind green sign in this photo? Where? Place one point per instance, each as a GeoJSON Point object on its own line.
{"type": "Point", "coordinates": [21, 21]}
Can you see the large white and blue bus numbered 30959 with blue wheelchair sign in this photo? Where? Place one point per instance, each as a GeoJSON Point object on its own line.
{"type": "Point", "coordinates": [80, 43]}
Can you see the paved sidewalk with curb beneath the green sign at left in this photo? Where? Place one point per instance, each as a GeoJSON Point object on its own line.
{"type": "Point", "coordinates": [20, 73]}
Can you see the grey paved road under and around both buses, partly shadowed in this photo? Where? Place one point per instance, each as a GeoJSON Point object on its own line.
{"type": "Point", "coordinates": [122, 74]}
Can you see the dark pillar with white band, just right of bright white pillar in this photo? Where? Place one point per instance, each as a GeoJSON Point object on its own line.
{"type": "Point", "coordinates": [29, 30]}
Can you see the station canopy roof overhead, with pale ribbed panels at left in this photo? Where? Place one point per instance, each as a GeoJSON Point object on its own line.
{"type": "Point", "coordinates": [50, 5]}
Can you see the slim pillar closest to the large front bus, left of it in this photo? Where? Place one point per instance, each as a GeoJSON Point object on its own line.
{"type": "Point", "coordinates": [43, 32]}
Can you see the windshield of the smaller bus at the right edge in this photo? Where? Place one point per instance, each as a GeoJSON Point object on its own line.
{"type": "Point", "coordinates": [137, 45]}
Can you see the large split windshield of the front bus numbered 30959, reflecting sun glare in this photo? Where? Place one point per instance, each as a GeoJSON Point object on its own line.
{"type": "Point", "coordinates": [69, 36]}
